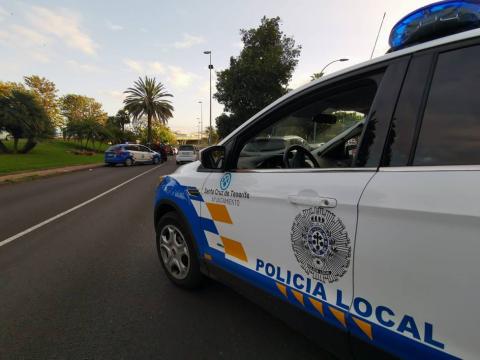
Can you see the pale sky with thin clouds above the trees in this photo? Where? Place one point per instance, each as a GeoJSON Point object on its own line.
{"type": "Point", "coordinates": [99, 48]}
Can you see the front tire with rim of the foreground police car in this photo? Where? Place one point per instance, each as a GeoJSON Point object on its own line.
{"type": "Point", "coordinates": [177, 253]}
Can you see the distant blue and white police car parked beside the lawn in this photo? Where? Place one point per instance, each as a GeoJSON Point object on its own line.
{"type": "Point", "coordinates": [130, 154]}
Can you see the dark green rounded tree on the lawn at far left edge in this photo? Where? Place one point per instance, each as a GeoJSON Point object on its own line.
{"type": "Point", "coordinates": [23, 116]}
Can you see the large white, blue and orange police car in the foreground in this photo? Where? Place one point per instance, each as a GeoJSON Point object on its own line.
{"type": "Point", "coordinates": [372, 239]}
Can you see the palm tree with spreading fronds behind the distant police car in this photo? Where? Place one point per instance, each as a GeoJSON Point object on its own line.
{"type": "Point", "coordinates": [147, 97]}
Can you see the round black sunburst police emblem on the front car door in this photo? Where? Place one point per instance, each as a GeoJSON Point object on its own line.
{"type": "Point", "coordinates": [321, 244]}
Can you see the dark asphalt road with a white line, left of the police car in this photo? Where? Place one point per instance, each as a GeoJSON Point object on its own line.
{"type": "Point", "coordinates": [89, 285]}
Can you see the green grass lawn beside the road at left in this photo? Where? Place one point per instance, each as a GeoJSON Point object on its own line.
{"type": "Point", "coordinates": [46, 155]}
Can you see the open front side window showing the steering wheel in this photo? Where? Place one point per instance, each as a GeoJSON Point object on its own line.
{"type": "Point", "coordinates": [320, 132]}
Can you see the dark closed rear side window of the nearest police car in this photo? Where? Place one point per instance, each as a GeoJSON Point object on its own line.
{"type": "Point", "coordinates": [450, 130]}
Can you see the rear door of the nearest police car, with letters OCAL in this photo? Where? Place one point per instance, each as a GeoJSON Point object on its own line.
{"type": "Point", "coordinates": [417, 249]}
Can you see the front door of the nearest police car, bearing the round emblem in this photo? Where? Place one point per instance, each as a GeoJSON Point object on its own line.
{"type": "Point", "coordinates": [291, 231]}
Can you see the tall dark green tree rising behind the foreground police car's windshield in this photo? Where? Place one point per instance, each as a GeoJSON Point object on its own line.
{"type": "Point", "coordinates": [258, 76]}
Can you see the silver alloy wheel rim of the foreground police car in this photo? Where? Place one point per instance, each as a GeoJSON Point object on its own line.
{"type": "Point", "coordinates": [174, 252]}
